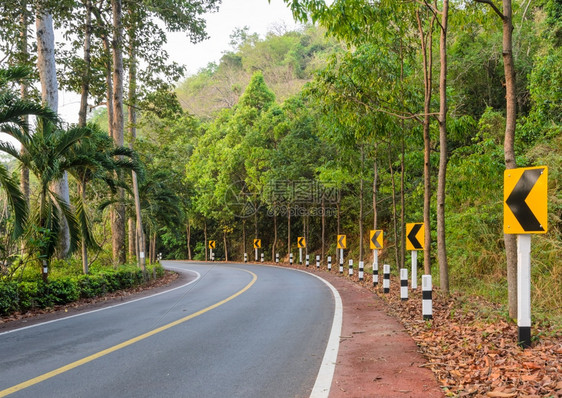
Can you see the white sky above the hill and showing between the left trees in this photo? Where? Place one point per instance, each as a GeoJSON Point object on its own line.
{"type": "Point", "coordinates": [259, 15]}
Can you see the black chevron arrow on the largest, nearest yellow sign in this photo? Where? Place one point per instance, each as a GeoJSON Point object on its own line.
{"type": "Point", "coordinates": [516, 200]}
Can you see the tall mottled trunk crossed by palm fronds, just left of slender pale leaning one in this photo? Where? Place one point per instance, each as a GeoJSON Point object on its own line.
{"type": "Point", "coordinates": [118, 214]}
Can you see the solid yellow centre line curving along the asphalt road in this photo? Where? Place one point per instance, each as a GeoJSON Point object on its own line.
{"type": "Point", "coordinates": [124, 344]}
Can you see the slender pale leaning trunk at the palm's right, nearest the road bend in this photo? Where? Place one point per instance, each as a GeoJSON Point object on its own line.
{"type": "Point", "coordinates": [139, 234]}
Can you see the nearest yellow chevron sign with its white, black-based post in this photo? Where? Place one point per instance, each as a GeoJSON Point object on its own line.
{"type": "Point", "coordinates": [525, 212]}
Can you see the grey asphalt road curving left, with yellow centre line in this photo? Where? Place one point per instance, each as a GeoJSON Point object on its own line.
{"type": "Point", "coordinates": [235, 331]}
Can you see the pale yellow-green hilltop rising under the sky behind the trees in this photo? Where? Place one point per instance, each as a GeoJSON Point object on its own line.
{"type": "Point", "coordinates": [287, 61]}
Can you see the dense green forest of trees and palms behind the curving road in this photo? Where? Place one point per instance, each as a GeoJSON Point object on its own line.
{"type": "Point", "coordinates": [371, 116]}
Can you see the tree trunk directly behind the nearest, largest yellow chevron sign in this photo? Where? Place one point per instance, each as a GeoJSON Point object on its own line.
{"type": "Point", "coordinates": [509, 139]}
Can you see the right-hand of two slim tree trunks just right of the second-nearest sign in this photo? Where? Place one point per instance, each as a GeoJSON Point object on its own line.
{"type": "Point", "coordinates": [443, 158]}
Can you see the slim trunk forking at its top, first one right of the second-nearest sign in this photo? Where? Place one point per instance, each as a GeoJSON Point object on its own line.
{"type": "Point", "coordinates": [426, 46]}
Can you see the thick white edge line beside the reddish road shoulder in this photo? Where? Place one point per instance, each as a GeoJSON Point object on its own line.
{"type": "Point", "coordinates": [325, 376]}
